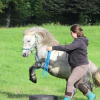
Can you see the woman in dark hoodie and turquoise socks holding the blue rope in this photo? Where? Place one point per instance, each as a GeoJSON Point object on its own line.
{"type": "Point", "coordinates": [78, 61]}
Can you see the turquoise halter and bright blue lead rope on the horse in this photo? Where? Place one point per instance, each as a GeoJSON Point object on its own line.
{"type": "Point", "coordinates": [47, 58]}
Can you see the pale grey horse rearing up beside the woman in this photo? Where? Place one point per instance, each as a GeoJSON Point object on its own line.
{"type": "Point", "coordinates": [39, 38]}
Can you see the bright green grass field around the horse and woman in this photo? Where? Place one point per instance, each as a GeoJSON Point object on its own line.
{"type": "Point", "coordinates": [14, 74]}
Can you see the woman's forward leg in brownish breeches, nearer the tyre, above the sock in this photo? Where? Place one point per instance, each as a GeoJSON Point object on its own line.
{"type": "Point", "coordinates": [77, 73]}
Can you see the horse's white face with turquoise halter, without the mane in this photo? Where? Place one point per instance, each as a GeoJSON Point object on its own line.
{"type": "Point", "coordinates": [30, 40]}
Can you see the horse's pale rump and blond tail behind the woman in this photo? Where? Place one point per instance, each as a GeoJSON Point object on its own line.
{"type": "Point", "coordinates": [95, 71]}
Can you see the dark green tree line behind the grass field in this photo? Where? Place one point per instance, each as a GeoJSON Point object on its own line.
{"type": "Point", "coordinates": [23, 12]}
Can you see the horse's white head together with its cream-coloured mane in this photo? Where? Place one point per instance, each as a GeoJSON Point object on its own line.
{"type": "Point", "coordinates": [31, 37]}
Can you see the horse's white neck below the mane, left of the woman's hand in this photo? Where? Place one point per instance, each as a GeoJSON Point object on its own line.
{"type": "Point", "coordinates": [41, 51]}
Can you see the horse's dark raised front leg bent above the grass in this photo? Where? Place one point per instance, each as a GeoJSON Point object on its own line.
{"type": "Point", "coordinates": [32, 75]}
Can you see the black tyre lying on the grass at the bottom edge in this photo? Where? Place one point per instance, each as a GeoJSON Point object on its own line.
{"type": "Point", "coordinates": [43, 97]}
